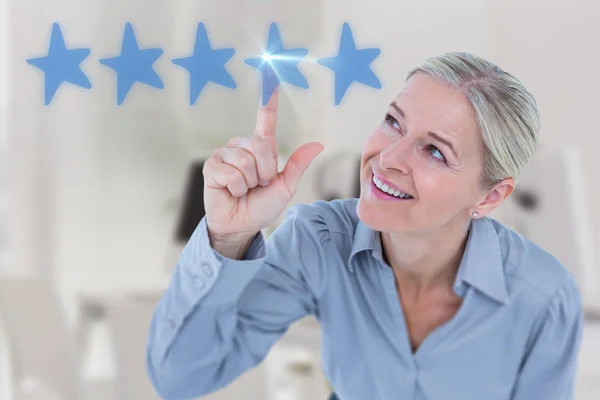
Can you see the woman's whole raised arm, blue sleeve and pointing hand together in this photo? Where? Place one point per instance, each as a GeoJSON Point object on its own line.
{"type": "Point", "coordinates": [232, 295]}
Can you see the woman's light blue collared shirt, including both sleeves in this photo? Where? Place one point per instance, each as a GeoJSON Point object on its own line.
{"type": "Point", "coordinates": [516, 335]}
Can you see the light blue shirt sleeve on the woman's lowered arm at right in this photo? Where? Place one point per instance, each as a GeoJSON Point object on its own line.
{"type": "Point", "coordinates": [549, 370]}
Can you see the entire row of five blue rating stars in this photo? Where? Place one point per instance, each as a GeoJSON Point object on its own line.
{"type": "Point", "coordinates": [206, 64]}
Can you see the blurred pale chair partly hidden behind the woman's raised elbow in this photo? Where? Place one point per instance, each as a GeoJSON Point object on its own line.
{"type": "Point", "coordinates": [129, 320]}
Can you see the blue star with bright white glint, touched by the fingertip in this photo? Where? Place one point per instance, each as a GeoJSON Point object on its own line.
{"type": "Point", "coordinates": [278, 65]}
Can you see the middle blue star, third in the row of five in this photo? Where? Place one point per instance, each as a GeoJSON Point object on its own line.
{"type": "Point", "coordinates": [206, 65]}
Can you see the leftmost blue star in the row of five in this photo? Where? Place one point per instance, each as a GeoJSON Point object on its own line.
{"type": "Point", "coordinates": [61, 65]}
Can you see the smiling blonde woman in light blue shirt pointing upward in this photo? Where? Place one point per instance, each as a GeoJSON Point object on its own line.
{"type": "Point", "coordinates": [419, 294]}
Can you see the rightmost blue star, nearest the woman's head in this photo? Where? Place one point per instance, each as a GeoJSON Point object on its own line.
{"type": "Point", "coordinates": [351, 65]}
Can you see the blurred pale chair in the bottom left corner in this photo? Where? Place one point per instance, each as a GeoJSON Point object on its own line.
{"type": "Point", "coordinates": [45, 357]}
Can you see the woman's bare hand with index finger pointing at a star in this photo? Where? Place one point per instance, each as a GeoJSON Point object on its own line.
{"type": "Point", "coordinates": [243, 190]}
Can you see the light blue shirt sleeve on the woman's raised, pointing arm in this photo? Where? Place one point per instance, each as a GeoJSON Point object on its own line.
{"type": "Point", "coordinates": [219, 317]}
